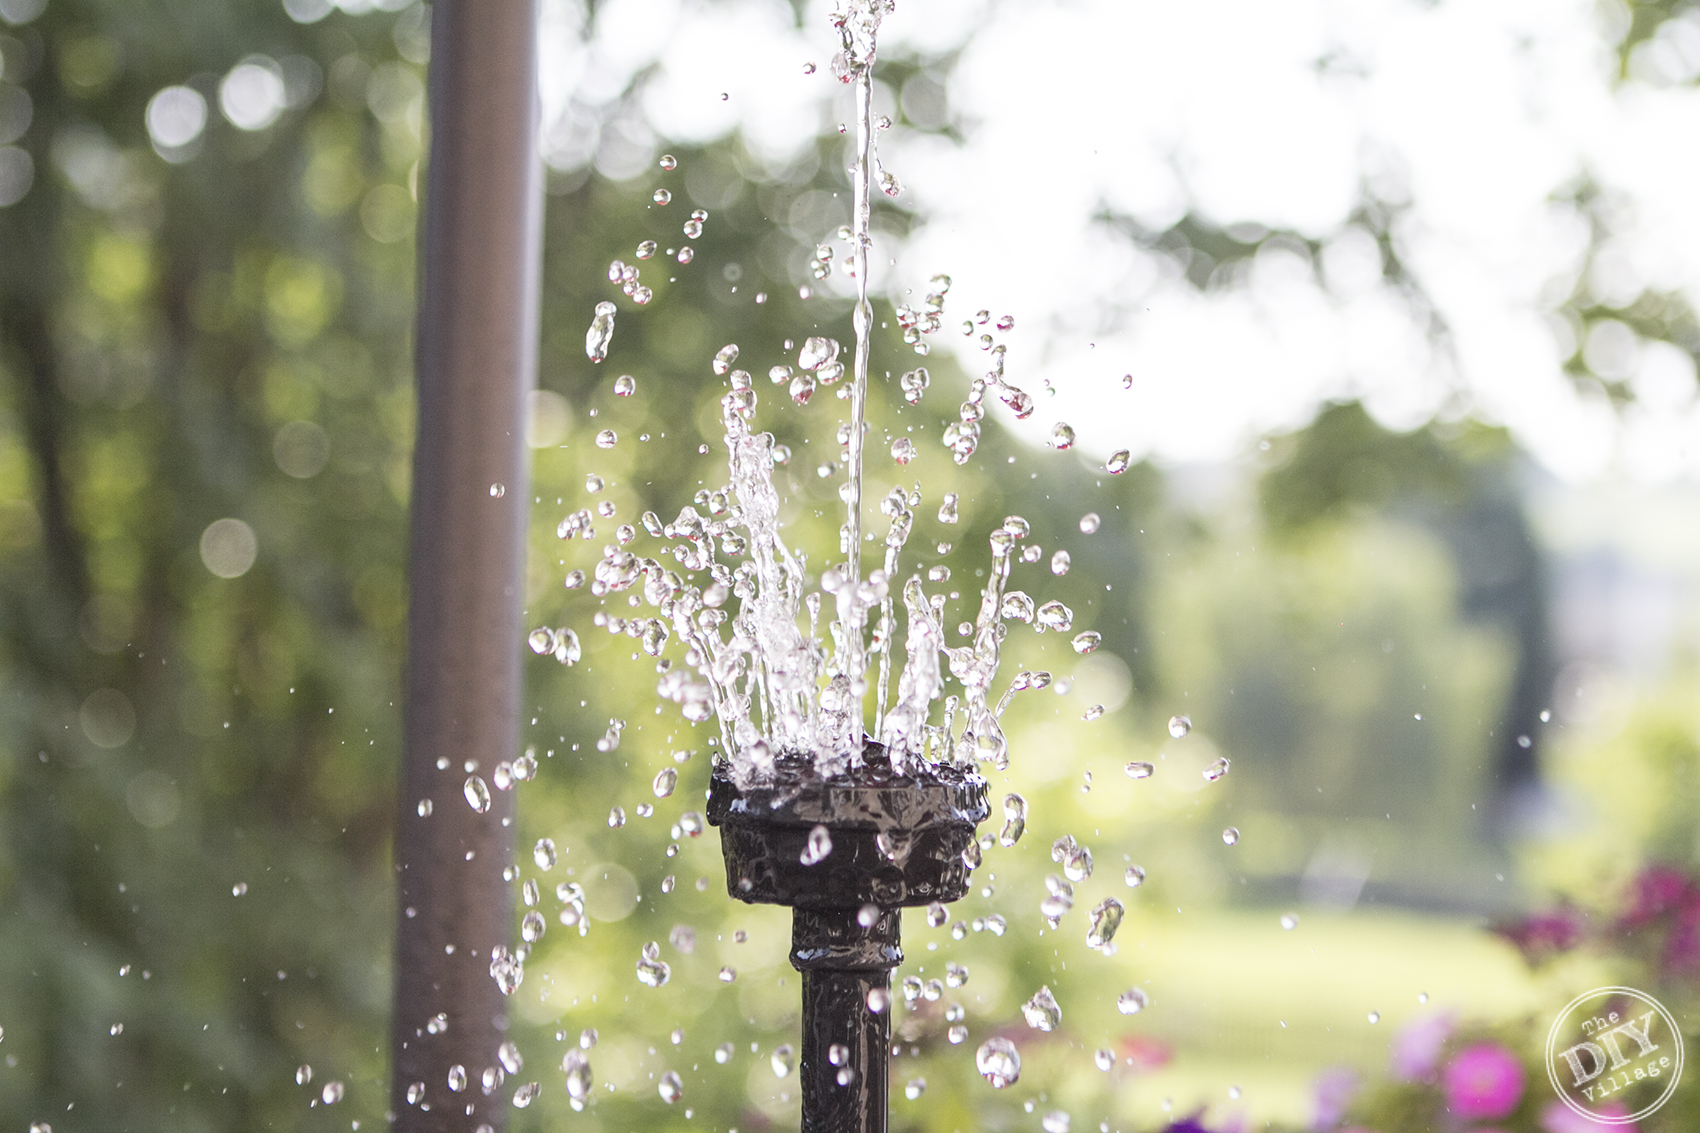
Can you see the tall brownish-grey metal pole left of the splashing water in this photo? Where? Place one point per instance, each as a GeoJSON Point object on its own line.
{"type": "Point", "coordinates": [475, 360]}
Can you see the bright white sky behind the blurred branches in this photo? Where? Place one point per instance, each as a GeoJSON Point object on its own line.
{"type": "Point", "coordinates": [1480, 113]}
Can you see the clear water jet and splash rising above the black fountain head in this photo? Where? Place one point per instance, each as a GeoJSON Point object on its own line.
{"type": "Point", "coordinates": [773, 690]}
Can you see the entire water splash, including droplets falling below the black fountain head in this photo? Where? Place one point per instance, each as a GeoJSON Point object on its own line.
{"type": "Point", "coordinates": [735, 596]}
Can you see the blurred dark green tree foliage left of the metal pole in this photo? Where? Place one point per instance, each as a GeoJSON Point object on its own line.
{"type": "Point", "coordinates": [207, 413]}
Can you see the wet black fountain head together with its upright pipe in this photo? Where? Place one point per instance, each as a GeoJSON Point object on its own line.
{"type": "Point", "coordinates": [897, 840]}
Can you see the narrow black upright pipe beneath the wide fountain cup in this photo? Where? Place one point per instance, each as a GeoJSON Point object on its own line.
{"type": "Point", "coordinates": [846, 1066]}
